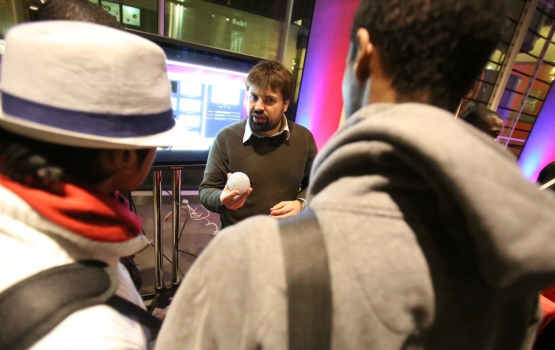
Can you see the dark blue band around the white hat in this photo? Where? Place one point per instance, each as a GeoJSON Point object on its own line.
{"type": "Point", "coordinates": [104, 125]}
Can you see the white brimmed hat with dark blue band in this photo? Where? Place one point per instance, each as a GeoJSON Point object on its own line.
{"type": "Point", "coordinates": [87, 85]}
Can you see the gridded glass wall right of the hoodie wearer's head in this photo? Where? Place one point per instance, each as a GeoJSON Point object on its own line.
{"type": "Point", "coordinates": [518, 77]}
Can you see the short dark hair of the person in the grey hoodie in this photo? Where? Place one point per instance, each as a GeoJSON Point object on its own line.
{"type": "Point", "coordinates": [432, 48]}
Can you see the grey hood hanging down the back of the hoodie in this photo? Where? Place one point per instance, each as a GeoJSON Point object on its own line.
{"type": "Point", "coordinates": [508, 223]}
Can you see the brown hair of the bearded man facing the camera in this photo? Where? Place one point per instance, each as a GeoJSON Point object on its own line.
{"type": "Point", "coordinates": [271, 74]}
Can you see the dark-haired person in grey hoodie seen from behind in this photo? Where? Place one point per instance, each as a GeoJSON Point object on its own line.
{"type": "Point", "coordinates": [421, 255]}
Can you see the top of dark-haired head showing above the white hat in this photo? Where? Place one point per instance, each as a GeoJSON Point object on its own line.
{"type": "Point", "coordinates": [75, 10]}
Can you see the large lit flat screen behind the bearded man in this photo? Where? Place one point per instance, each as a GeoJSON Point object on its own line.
{"type": "Point", "coordinates": [208, 93]}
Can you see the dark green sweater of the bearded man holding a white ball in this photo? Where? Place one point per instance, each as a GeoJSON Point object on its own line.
{"type": "Point", "coordinates": [278, 169]}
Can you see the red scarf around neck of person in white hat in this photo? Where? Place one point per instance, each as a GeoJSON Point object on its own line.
{"type": "Point", "coordinates": [91, 214]}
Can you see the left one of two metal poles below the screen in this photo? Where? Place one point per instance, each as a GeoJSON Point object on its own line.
{"type": "Point", "coordinates": [157, 205]}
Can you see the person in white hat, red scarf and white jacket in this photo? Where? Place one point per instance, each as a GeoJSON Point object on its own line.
{"type": "Point", "coordinates": [84, 107]}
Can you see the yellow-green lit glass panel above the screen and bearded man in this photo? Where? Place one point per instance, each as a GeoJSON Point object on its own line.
{"type": "Point", "coordinates": [263, 29]}
